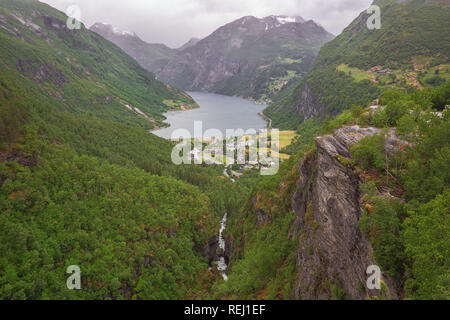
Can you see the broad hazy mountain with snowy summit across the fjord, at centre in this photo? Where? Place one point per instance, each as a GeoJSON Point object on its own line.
{"type": "Point", "coordinates": [250, 57]}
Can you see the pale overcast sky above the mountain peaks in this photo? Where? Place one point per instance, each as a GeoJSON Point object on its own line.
{"type": "Point", "coordinates": [174, 22]}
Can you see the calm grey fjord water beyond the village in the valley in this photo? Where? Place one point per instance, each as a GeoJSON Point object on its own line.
{"type": "Point", "coordinates": [216, 112]}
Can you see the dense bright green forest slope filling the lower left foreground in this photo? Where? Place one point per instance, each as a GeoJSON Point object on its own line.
{"type": "Point", "coordinates": [127, 230]}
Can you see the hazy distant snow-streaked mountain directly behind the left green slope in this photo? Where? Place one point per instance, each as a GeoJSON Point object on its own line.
{"type": "Point", "coordinates": [152, 57]}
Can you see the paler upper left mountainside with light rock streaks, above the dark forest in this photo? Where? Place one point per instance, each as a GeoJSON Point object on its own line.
{"type": "Point", "coordinates": [77, 70]}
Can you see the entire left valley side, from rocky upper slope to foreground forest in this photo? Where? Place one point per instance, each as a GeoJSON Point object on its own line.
{"type": "Point", "coordinates": [83, 182]}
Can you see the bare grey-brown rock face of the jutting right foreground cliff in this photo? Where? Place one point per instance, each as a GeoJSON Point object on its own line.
{"type": "Point", "coordinates": [327, 203]}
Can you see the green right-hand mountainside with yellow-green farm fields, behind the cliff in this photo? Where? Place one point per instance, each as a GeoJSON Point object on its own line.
{"type": "Point", "coordinates": [411, 50]}
